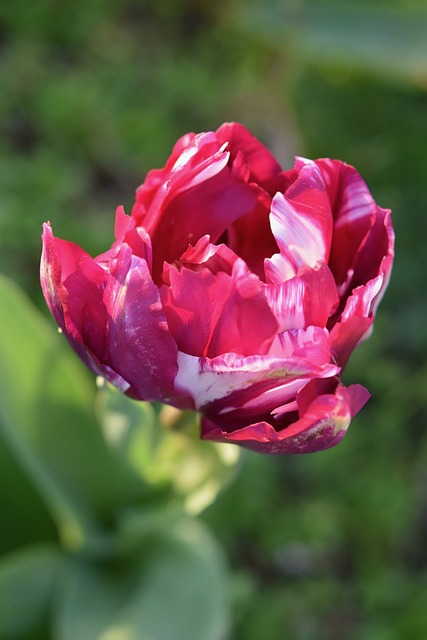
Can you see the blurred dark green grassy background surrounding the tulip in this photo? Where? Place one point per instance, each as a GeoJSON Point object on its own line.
{"type": "Point", "coordinates": [93, 95]}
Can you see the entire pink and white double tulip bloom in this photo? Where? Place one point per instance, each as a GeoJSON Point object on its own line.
{"type": "Point", "coordinates": [235, 289]}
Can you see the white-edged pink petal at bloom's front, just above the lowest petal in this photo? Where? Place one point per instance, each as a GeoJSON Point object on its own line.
{"type": "Point", "coordinates": [255, 383]}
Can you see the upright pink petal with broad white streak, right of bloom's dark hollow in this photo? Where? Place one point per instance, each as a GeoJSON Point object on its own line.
{"type": "Point", "coordinates": [301, 222]}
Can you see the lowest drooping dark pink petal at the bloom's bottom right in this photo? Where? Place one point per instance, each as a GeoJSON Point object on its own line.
{"type": "Point", "coordinates": [322, 426]}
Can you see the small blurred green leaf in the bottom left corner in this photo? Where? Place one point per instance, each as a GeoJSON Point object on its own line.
{"type": "Point", "coordinates": [27, 582]}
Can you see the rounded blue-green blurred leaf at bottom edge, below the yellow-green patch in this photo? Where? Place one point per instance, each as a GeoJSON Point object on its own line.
{"type": "Point", "coordinates": [173, 589]}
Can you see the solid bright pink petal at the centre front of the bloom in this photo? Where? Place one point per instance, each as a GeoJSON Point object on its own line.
{"type": "Point", "coordinates": [210, 314]}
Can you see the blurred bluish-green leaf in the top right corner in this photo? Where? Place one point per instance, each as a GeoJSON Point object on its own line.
{"type": "Point", "coordinates": [387, 41]}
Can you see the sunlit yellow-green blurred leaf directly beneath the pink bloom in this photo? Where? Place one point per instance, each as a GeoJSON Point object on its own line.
{"type": "Point", "coordinates": [166, 449]}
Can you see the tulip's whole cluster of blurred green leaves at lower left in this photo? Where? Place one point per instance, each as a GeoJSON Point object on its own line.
{"type": "Point", "coordinates": [129, 563]}
